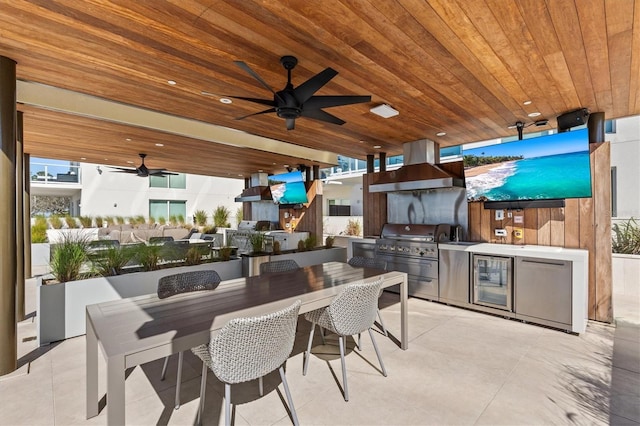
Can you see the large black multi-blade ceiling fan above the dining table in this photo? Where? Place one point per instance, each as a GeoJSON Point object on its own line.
{"type": "Point", "coordinates": [291, 103]}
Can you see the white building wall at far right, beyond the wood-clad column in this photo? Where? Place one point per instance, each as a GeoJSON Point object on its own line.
{"type": "Point", "coordinates": [625, 156]}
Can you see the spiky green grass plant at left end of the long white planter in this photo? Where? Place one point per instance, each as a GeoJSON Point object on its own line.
{"type": "Point", "coordinates": [68, 256]}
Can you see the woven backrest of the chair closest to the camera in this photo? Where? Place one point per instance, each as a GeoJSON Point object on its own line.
{"type": "Point", "coordinates": [249, 348]}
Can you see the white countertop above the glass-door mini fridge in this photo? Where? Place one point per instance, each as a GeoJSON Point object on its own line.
{"type": "Point", "coordinates": [544, 252]}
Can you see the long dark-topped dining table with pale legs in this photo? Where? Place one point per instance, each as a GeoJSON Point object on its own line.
{"type": "Point", "coordinates": [133, 331]}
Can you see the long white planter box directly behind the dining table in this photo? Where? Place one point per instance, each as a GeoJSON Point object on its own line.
{"type": "Point", "coordinates": [61, 307]}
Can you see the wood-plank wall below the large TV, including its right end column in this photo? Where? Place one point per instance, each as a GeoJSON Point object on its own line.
{"type": "Point", "coordinates": [583, 223]}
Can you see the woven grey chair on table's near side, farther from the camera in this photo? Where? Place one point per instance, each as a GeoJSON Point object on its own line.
{"type": "Point", "coordinates": [351, 312]}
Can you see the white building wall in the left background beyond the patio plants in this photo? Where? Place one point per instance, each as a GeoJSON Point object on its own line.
{"type": "Point", "coordinates": [122, 194]}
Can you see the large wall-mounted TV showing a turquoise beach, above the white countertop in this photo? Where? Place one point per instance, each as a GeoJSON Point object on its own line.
{"type": "Point", "coordinates": [548, 167]}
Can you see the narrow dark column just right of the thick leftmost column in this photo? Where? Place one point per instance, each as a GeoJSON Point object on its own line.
{"type": "Point", "coordinates": [20, 224]}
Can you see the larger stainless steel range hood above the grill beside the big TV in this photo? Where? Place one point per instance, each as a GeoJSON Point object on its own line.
{"type": "Point", "coordinates": [418, 172]}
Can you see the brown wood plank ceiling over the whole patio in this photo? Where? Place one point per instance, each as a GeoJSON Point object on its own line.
{"type": "Point", "coordinates": [467, 68]}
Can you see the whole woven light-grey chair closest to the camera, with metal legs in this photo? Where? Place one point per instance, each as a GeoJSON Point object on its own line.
{"type": "Point", "coordinates": [246, 349]}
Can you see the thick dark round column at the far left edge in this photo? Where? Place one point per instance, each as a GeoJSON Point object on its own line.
{"type": "Point", "coordinates": [8, 328]}
